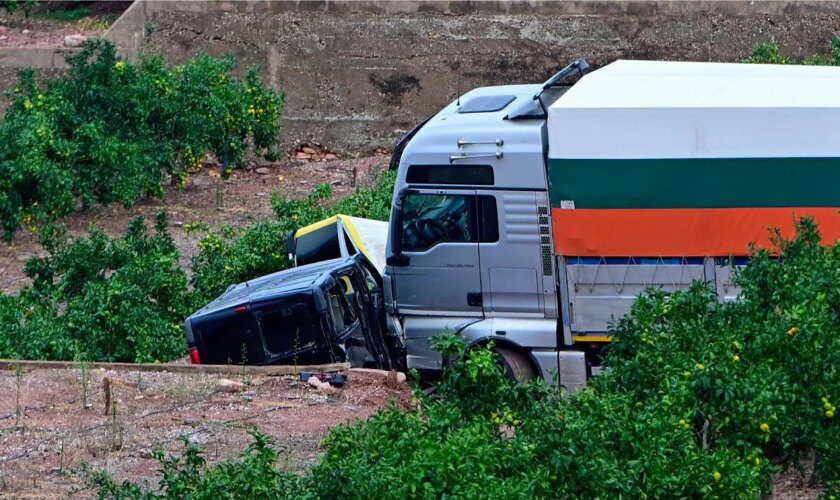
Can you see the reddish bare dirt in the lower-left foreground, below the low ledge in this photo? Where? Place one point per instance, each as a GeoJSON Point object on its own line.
{"type": "Point", "coordinates": [47, 430]}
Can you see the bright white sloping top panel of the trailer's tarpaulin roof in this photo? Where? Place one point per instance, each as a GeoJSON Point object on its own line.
{"type": "Point", "coordinates": [664, 84]}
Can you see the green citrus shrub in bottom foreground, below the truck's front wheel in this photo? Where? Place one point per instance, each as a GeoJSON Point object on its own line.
{"type": "Point", "coordinates": [525, 442]}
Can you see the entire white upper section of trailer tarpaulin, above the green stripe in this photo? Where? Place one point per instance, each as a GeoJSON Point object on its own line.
{"type": "Point", "coordinates": [651, 109]}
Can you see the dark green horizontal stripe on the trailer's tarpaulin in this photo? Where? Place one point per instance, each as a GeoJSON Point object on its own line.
{"type": "Point", "coordinates": [695, 182]}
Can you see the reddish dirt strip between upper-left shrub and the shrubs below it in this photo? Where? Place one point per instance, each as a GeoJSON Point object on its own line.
{"type": "Point", "coordinates": [243, 198]}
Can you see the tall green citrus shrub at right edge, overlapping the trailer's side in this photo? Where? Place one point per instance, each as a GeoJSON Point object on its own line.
{"type": "Point", "coordinates": [759, 375]}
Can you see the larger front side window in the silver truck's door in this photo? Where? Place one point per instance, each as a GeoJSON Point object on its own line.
{"type": "Point", "coordinates": [429, 219]}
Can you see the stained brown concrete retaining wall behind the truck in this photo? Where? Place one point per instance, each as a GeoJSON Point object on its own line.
{"type": "Point", "coordinates": [359, 74]}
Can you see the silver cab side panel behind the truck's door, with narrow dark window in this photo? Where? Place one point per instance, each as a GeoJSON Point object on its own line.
{"type": "Point", "coordinates": [511, 268]}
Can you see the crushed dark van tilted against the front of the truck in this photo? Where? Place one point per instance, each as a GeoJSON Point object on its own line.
{"type": "Point", "coordinates": [324, 312]}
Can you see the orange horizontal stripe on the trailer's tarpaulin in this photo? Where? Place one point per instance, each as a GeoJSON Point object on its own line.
{"type": "Point", "coordinates": [679, 232]}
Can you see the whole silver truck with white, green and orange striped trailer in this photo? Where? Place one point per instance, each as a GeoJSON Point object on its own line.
{"type": "Point", "coordinates": [532, 216]}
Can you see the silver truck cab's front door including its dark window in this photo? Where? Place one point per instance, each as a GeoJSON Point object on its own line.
{"type": "Point", "coordinates": [442, 275]}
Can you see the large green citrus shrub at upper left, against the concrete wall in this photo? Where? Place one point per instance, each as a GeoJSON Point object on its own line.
{"type": "Point", "coordinates": [114, 131]}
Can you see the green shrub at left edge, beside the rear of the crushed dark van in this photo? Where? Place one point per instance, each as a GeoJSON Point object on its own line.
{"type": "Point", "coordinates": [100, 299]}
